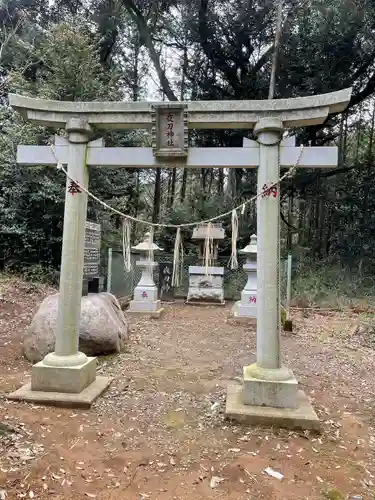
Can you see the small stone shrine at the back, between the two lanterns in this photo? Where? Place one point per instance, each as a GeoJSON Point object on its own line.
{"type": "Point", "coordinates": [206, 284]}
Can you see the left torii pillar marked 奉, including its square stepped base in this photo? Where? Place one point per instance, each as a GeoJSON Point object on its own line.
{"type": "Point", "coordinates": [67, 376]}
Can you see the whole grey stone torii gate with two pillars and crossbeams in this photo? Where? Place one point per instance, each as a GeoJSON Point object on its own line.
{"type": "Point", "coordinates": [270, 390]}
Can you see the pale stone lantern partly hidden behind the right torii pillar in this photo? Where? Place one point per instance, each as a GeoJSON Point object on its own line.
{"type": "Point", "coordinates": [246, 308]}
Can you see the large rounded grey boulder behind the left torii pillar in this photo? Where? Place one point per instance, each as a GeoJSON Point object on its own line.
{"type": "Point", "coordinates": [103, 327]}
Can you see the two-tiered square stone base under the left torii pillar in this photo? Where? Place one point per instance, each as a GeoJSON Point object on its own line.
{"type": "Point", "coordinates": [73, 386]}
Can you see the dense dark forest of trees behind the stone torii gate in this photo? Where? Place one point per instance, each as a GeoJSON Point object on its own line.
{"type": "Point", "coordinates": [194, 50]}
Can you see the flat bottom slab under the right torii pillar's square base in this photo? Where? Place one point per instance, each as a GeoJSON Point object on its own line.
{"type": "Point", "coordinates": [301, 417]}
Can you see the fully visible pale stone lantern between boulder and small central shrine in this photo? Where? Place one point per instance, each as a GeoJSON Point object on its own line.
{"type": "Point", "coordinates": [145, 299]}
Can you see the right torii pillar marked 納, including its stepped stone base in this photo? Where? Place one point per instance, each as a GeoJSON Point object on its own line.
{"type": "Point", "coordinates": [269, 394]}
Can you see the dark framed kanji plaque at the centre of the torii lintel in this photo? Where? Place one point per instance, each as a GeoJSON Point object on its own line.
{"type": "Point", "coordinates": [169, 130]}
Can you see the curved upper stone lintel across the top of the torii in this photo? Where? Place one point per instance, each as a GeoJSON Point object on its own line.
{"type": "Point", "coordinates": [295, 112]}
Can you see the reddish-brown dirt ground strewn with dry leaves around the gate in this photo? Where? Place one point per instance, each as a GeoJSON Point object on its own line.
{"type": "Point", "coordinates": [159, 432]}
